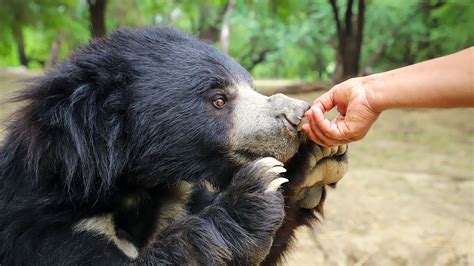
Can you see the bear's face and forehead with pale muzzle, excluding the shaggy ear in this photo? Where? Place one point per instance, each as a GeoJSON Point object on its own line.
{"type": "Point", "coordinates": [196, 109]}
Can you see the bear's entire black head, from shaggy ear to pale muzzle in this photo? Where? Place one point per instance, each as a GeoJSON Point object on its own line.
{"type": "Point", "coordinates": [150, 106]}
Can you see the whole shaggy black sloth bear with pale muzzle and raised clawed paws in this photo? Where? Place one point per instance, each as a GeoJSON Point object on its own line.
{"type": "Point", "coordinates": [150, 147]}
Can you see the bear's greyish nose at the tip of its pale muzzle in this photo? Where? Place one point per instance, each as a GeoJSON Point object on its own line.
{"type": "Point", "coordinates": [289, 108]}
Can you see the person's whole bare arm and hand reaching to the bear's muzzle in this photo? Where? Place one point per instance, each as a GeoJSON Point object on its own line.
{"type": "Point", "coordinates": [445, 82]}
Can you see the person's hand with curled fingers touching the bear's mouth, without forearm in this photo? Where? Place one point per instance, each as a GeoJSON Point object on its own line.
{"type": "Point", "coordinates": [352, 99]}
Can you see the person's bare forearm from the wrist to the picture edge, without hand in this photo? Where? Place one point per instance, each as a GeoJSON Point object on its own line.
{"type": "Point", "coordinates": [445, 82]}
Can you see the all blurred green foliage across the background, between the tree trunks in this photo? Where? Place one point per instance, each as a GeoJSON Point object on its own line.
{"type": "Point", "coordinates": [272, 38]}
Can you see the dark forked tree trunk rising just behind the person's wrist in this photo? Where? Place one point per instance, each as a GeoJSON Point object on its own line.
{"type": "Point", "coordinates": [349, 38]}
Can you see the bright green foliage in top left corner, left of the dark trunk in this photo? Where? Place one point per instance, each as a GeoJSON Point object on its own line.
{"type": "Point", "coordinates": [40, 21]}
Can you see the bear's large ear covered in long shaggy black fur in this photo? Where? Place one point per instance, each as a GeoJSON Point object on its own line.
{"type": "Point", "coordinates": [72, 129]}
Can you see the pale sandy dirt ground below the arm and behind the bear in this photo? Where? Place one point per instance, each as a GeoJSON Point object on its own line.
{"type": "Point", "coordinates": [407, 199]}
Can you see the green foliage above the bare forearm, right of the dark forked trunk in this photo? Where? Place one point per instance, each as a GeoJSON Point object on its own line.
{"type": "Point", "coordinates": [398, 33]}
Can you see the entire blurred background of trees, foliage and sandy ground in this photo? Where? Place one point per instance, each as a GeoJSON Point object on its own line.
{"type": "Point", "coordinates": [408, 197]}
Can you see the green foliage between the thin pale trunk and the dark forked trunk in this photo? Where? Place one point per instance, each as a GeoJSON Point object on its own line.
{"type": "Point", "coordinates": [297, 36]}
